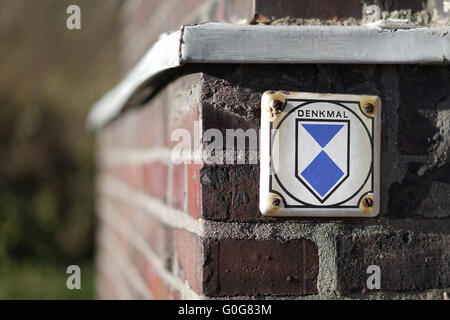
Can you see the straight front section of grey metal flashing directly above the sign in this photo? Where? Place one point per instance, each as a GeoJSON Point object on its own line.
{"type": "Point", "coordinates": [219, 43]}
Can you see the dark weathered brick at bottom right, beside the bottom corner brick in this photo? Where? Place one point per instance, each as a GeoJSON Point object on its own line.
{"type": "Point", "coordinates": [407, 261]}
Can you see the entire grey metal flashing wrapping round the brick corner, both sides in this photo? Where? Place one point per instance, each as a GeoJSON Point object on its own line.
{"type": "Point", "coordinates": [247, 44]}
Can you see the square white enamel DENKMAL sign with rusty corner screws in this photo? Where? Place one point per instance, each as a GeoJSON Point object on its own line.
{"type": "Point", "coordinates": [320, 155]}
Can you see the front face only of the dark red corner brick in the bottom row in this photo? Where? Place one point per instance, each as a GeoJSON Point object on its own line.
{"type": "Point", "coordinates": [267, 267]}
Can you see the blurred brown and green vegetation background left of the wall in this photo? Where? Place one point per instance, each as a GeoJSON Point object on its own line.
{"type": "Point", "coordinates": [49, 78]}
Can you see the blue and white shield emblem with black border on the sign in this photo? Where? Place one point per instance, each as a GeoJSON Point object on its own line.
{"type": "Point", "coordinates": [322, 155]}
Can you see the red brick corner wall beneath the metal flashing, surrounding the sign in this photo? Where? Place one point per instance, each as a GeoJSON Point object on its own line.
{"type": "Point", "coordinates": [192, 230]}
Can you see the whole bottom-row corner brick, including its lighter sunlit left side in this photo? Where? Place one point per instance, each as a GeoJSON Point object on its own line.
{"type": "Point", "coordinates": [231, 267]}
